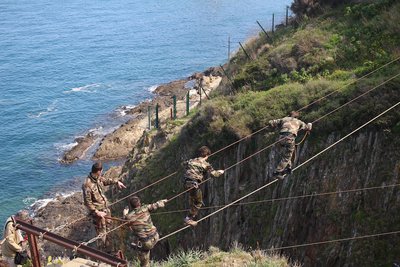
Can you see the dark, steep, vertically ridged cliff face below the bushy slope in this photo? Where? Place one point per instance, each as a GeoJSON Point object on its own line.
{"type": "Point", "coordinates": [367, 159]}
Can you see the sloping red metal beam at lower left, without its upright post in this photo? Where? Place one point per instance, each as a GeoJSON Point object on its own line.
{"type": "Point", "coordinates": [70, 244]}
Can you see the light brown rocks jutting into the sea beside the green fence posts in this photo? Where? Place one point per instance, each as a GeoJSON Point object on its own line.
{"type": "Point", "coordinates": [118, 144]}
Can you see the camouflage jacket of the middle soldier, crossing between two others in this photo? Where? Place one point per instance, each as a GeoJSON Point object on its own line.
{"type": "Point", "coordinates": [198, 169]}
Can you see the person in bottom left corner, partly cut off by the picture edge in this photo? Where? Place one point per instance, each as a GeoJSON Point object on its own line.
{"type": "Point", "coordinates": [13, 240]}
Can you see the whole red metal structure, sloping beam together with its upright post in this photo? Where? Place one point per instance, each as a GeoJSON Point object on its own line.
{"type": "Point", "coordinates": [33, 232]}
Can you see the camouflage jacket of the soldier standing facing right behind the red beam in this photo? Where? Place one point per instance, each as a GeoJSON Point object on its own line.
{"type": "Point", "coordinates": [93, 192]}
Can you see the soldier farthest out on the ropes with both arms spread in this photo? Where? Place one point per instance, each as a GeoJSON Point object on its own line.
{"type": "Point", "coordinates": [289, 126]}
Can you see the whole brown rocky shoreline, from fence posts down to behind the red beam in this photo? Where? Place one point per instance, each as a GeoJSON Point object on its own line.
{"type": "Point", "coordinates": [116, 145]}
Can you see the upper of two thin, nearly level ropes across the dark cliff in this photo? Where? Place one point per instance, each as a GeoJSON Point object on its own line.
{"type": "Point", "coordinates": [285, 198]}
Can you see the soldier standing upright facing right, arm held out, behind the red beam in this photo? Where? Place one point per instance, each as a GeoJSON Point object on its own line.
{"type": "Point", "coordinates": [96, 201]}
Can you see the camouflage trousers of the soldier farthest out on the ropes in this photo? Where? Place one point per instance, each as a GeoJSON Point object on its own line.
{"type": "Point", "coordinates": [286, 148]}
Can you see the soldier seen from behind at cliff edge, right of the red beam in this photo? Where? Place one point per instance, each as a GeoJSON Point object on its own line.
{"type": "Point", "coordinates": [142, 227]}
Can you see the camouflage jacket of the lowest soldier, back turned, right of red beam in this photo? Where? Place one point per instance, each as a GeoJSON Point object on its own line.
{"type": "Point", "coordinates": [141, 223]}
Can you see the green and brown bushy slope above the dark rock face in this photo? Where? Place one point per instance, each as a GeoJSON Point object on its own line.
{"type": "Point", "coordinates": [302, 64]}
